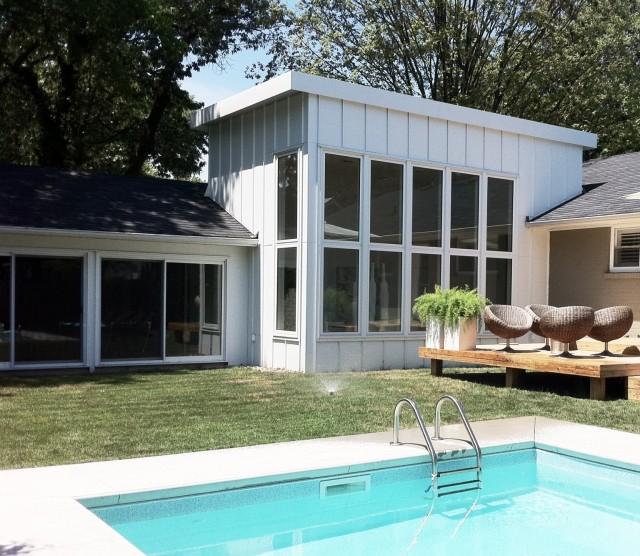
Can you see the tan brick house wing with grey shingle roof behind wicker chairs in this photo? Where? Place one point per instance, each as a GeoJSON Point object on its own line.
{"type": "Point", "coordinates": [594, 256]}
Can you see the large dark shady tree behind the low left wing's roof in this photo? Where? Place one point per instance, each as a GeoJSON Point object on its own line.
{"type": "Point", "coordinates": [95, 84]}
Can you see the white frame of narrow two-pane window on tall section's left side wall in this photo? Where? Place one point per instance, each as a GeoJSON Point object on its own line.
{"type": "Point", "coordinates": [288, 243]}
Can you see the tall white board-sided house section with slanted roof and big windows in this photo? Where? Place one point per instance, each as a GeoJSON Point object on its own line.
{"type": "Point", "coordinates": [361, 199]}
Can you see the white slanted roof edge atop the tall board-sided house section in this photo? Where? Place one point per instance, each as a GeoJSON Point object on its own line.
{"type": "Point", "coordinates": [294, 81]}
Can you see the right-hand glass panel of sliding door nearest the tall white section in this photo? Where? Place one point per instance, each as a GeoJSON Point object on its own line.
{"type": "Point", "coordinates": [193, 310]}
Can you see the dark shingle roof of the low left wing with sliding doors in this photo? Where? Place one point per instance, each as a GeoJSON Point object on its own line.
{"type": "Point", "coordinates": [32, 197]}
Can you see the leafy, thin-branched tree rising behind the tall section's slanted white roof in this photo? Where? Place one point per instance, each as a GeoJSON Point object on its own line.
{"type": "Point", "coordinates": [565, 62]}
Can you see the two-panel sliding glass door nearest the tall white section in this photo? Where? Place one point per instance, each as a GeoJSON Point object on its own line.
{"type": "Point", "coordinates": [156, 310]}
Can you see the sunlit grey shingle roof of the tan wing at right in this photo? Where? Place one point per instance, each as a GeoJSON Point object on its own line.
{"type": "Point", "coordinates": [611, 188]}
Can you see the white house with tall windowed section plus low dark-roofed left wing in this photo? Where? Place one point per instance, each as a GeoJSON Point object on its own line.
{"type": "Point", "coordinates": [329, 207]}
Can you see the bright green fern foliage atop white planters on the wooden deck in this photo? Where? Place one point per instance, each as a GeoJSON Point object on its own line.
{"type": "Point", "coordinates": [447, 307]}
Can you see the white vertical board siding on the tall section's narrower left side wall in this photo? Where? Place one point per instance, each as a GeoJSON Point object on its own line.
{"type": "Point", "coordinates": [246, 178]}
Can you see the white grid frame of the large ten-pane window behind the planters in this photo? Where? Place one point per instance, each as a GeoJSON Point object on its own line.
{"type": "Point", "coordinates": [364, 247]}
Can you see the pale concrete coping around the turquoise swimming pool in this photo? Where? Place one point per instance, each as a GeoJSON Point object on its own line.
{"type": "Point", "coordinates": [40, 512]}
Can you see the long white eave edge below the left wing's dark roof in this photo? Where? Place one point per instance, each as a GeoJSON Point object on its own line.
{"type": "Point", "coordinates": [127, 236]}
